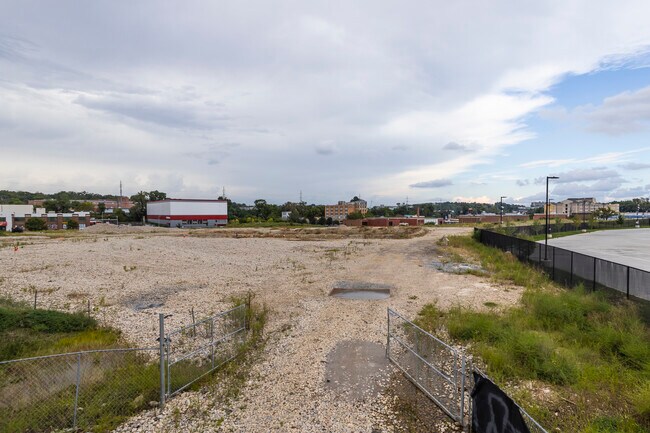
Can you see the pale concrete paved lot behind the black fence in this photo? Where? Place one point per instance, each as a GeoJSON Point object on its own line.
{"type": "Point", "coordinates": [629, 247]}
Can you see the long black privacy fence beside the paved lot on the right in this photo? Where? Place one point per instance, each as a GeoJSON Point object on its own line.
{"type": "Point", "coordinates": [571, 268]}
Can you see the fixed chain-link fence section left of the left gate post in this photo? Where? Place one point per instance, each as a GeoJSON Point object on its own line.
{"type": "Point", "coordinates": [80, 390]}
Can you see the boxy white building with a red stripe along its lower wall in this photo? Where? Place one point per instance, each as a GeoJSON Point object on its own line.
{"type": "Point", "coordinates": [188, 213]}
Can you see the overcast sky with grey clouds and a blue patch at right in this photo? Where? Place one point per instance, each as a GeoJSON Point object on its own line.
{"type": "Point", "coordinates": [385, 100]}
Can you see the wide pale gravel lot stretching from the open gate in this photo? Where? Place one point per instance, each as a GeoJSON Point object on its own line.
{"type": "Point", "coordinates": [123, 273]}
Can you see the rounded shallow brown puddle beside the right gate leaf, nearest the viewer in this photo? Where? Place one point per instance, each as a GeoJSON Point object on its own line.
{"type": "Point", "coordinates": [357, 370]}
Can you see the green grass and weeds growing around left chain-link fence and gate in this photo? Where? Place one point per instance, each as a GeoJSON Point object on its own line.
{"type": "Point", "coordinates": [115, 385]}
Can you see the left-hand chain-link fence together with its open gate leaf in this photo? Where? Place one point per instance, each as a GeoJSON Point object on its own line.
{"type": "Point", "coordinates": [84, 390]}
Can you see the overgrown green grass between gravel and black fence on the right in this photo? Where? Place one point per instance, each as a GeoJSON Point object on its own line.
{"type": "Point", "coordinates": [587, 348]}
